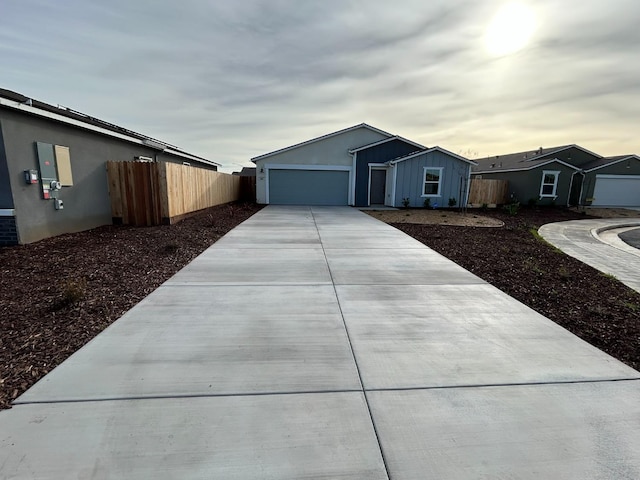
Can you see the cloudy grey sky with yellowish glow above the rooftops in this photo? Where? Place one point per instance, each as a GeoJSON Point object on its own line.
{"type": "Point", "coordinates": [232, 79]}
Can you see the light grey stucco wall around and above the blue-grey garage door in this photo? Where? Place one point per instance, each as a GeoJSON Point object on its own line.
{"type": "Point", "coordinates": [329, 151]}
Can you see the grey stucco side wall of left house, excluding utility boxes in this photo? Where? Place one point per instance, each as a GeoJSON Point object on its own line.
{"type": "Point", "coordinates": [86, 203]}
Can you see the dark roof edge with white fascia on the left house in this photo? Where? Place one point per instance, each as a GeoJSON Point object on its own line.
{"type": "Point", "coordinates": [19, 102]}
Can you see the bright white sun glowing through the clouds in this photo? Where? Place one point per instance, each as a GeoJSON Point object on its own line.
{"type": "Point", "coordinates": [510, 30]}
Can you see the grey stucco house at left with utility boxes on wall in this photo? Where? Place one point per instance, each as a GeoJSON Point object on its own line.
{"type": "Point", "coordinates": [53, 176]}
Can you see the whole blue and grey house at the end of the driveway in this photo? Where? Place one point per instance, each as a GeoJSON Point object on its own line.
{"type": "Point", "coordinates": [361, 166]}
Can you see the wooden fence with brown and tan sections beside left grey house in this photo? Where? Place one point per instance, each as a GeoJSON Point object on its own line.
{"type": "Point", "coordinates": [145, 193]}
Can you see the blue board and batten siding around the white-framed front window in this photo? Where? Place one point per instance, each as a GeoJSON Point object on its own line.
{"type": "Point", "coordinates": [410, 179]}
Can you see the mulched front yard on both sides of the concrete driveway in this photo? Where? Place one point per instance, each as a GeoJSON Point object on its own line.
{"type": "Point", "coordinates": [48, 313]}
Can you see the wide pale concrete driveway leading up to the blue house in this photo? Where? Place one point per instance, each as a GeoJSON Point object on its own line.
{"type": "Point", "coordinates": [317, 342]}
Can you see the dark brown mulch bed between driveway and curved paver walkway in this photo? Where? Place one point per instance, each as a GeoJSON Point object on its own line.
{"type": "Point", "coordinates": [594, 306]}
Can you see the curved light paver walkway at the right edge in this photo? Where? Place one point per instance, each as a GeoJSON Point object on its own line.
{"type": "Point", "coordinates": [596, 243]}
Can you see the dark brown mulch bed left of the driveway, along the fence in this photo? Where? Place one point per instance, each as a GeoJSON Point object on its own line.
{"type": "Point", "coordinates": [57, 294]}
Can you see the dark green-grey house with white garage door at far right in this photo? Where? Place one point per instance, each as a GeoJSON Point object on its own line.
{"type": "Point", "coordinates": [566, 175]}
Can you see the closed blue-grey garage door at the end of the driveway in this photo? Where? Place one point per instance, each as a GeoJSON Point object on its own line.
{"type": "Point", "coordinates": [308, 187]}
